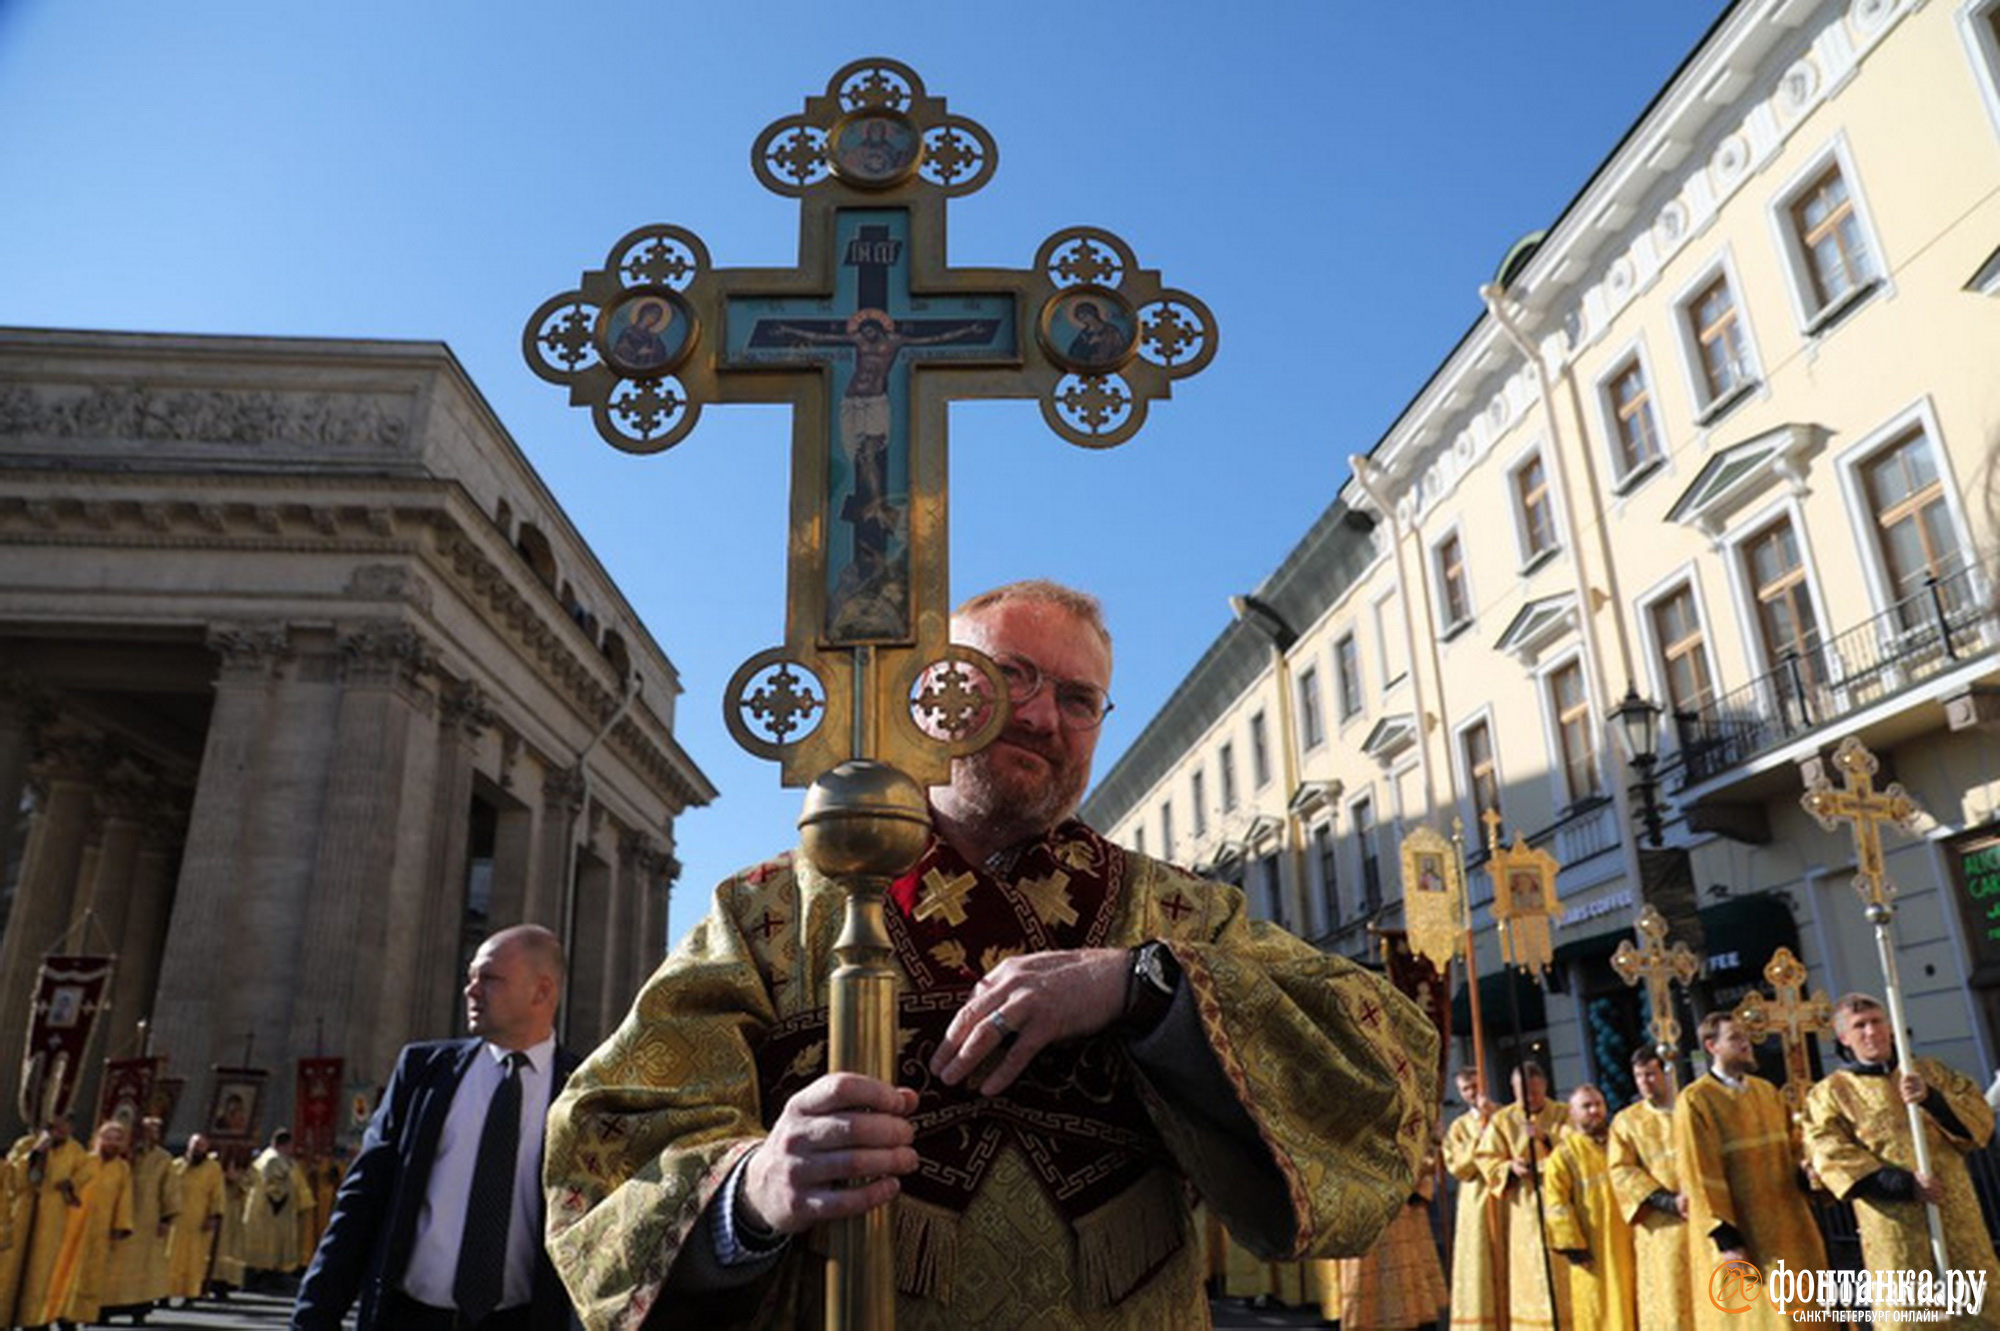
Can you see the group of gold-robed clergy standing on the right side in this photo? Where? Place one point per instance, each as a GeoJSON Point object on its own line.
{"type": "Point", "coordinates": [1569, 1216]}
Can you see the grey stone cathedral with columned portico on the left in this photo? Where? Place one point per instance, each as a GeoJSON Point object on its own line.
{"type": "Point", "coordinates": [297, 663]}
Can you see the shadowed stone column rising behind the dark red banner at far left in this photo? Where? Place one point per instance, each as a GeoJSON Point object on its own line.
{"type": "Point", "coordinates": [67, 768]}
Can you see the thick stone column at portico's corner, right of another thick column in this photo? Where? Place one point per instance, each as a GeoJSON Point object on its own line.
{"type": "Point", "coordinates": [383, 698]}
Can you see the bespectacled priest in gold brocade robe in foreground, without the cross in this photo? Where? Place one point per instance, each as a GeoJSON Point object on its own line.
{"type": "Point", "coordinates": [1085, 1036]}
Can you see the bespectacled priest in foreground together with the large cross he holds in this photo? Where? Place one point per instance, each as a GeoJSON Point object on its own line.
{"type": "Point", "coordinates": [961, 1062]}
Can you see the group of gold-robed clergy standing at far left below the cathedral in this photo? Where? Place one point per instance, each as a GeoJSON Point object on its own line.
{"type": "Point", "coordinates": [127, 1226]}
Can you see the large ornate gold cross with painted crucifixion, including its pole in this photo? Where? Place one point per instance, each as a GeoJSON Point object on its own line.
{"type": "Point", "coordinates": [869, 339]}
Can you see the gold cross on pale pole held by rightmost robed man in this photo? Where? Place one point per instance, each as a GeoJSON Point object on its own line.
{"type": "Point", "coordinates": [1865, 810]}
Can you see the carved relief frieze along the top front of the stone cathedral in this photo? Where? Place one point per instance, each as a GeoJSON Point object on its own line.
{"type": "Point", "coordinates": [203, 417]}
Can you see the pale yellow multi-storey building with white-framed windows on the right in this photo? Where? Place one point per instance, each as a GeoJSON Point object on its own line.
{"type": "Point", "coordinates": [1723, 441]}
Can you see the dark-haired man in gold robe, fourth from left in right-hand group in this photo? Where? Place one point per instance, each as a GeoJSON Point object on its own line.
{"type": "Point", "coordinates": [1647, 1184]}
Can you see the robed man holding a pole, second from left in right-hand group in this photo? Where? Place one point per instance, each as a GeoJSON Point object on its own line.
{"type": "Point", "coordinates": [1513, 1158]}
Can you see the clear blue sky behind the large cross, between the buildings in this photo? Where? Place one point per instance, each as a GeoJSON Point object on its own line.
{"type": "Point", "coordinates": [1335, 179]}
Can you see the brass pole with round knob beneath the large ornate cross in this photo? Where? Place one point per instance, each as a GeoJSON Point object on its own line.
{"type": "Point", "coordinates": [863, 824]}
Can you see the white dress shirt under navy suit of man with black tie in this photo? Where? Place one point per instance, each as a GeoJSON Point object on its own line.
{"type": "Point", "coordinates": [441, 1226]}
